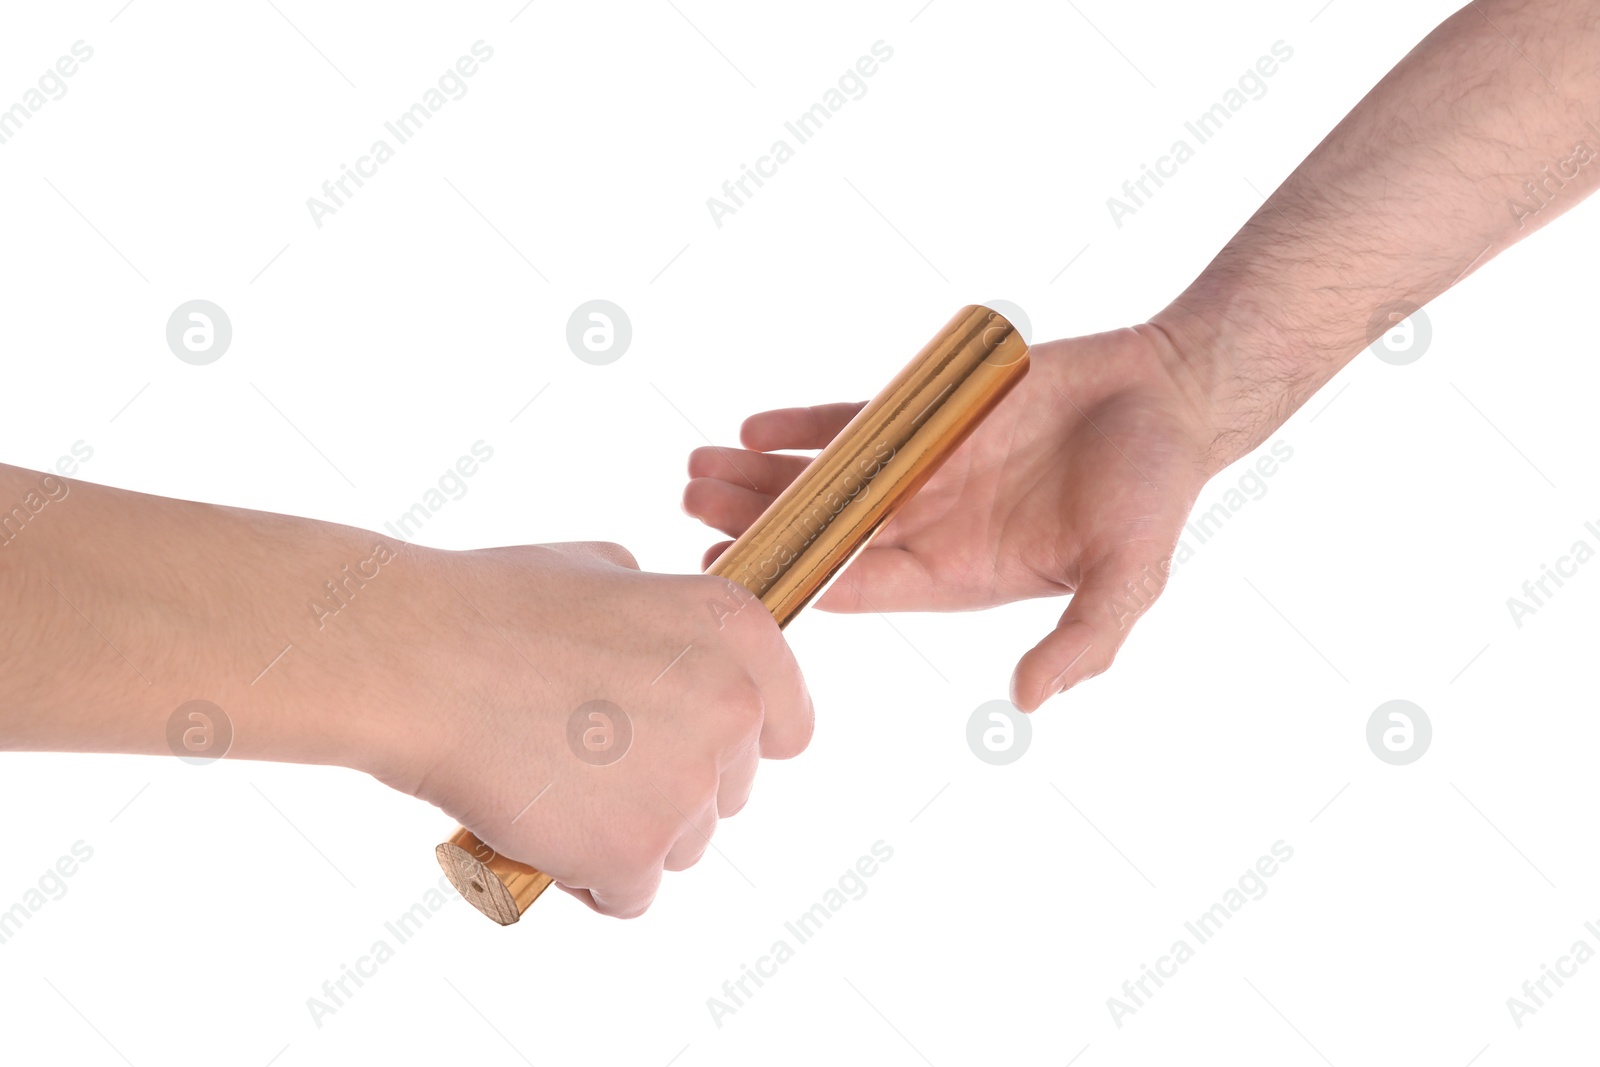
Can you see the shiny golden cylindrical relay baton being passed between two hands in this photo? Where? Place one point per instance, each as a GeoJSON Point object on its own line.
{"type": "Point", "coordinates": [820, 522]}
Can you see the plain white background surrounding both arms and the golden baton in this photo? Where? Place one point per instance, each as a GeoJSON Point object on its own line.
{"type": "Point", "coordinates": [1018, 900]}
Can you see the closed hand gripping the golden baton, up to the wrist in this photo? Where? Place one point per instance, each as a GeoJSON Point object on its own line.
{"type": "Point", "coordinates": [521, 639]}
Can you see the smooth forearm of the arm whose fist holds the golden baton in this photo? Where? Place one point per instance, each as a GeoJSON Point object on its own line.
{"type": "Point", "coordinates": [122, 607]}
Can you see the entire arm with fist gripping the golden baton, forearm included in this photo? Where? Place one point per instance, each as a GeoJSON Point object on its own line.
{"type": "Point", "coordinates": [450, 676]}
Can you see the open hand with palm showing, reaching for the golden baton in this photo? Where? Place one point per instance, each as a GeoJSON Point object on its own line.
{"type": "Point", "coordinates": [1078, 484]}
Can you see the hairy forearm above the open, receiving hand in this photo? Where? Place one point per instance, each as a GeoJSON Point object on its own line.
{"type": "Point", "coordinates": [1486, 132]}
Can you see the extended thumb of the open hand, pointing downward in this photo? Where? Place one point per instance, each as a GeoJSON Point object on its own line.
{"type": "Point", "coordinates": [1113, 596]}
